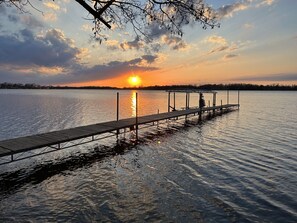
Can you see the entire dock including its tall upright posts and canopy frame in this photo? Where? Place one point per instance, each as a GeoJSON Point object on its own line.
{"type": "Point", "coordinates": [13, 149]}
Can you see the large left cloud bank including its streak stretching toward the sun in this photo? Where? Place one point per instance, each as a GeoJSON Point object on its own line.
{"type": "Point", "coordinates": [52, 58]}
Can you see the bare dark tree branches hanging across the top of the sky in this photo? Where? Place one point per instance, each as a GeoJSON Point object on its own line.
{"type": "Point", "coordinates": [142, 15]}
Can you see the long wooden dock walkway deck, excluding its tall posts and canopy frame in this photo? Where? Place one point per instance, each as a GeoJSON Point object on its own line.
{"type": "Point", "coordinates": [54, 139]}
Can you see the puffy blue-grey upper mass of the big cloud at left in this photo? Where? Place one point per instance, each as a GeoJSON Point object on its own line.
{"type": "Point", "coordinates": [51, 49]}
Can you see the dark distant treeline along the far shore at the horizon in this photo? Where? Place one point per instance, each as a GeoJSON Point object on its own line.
{"type": "Point", "coordinates": [242, 87]}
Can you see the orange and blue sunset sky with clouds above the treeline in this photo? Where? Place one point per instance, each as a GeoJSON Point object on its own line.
{"type": "Point", "coordinates": [256, 43]}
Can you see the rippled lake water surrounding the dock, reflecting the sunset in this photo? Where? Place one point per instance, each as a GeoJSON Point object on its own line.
{"type": "Point", "coordinates": [238, 167]}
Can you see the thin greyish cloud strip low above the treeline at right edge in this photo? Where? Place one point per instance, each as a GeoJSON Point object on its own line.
{"type": "Point", "coordinates": [270, 77]}
